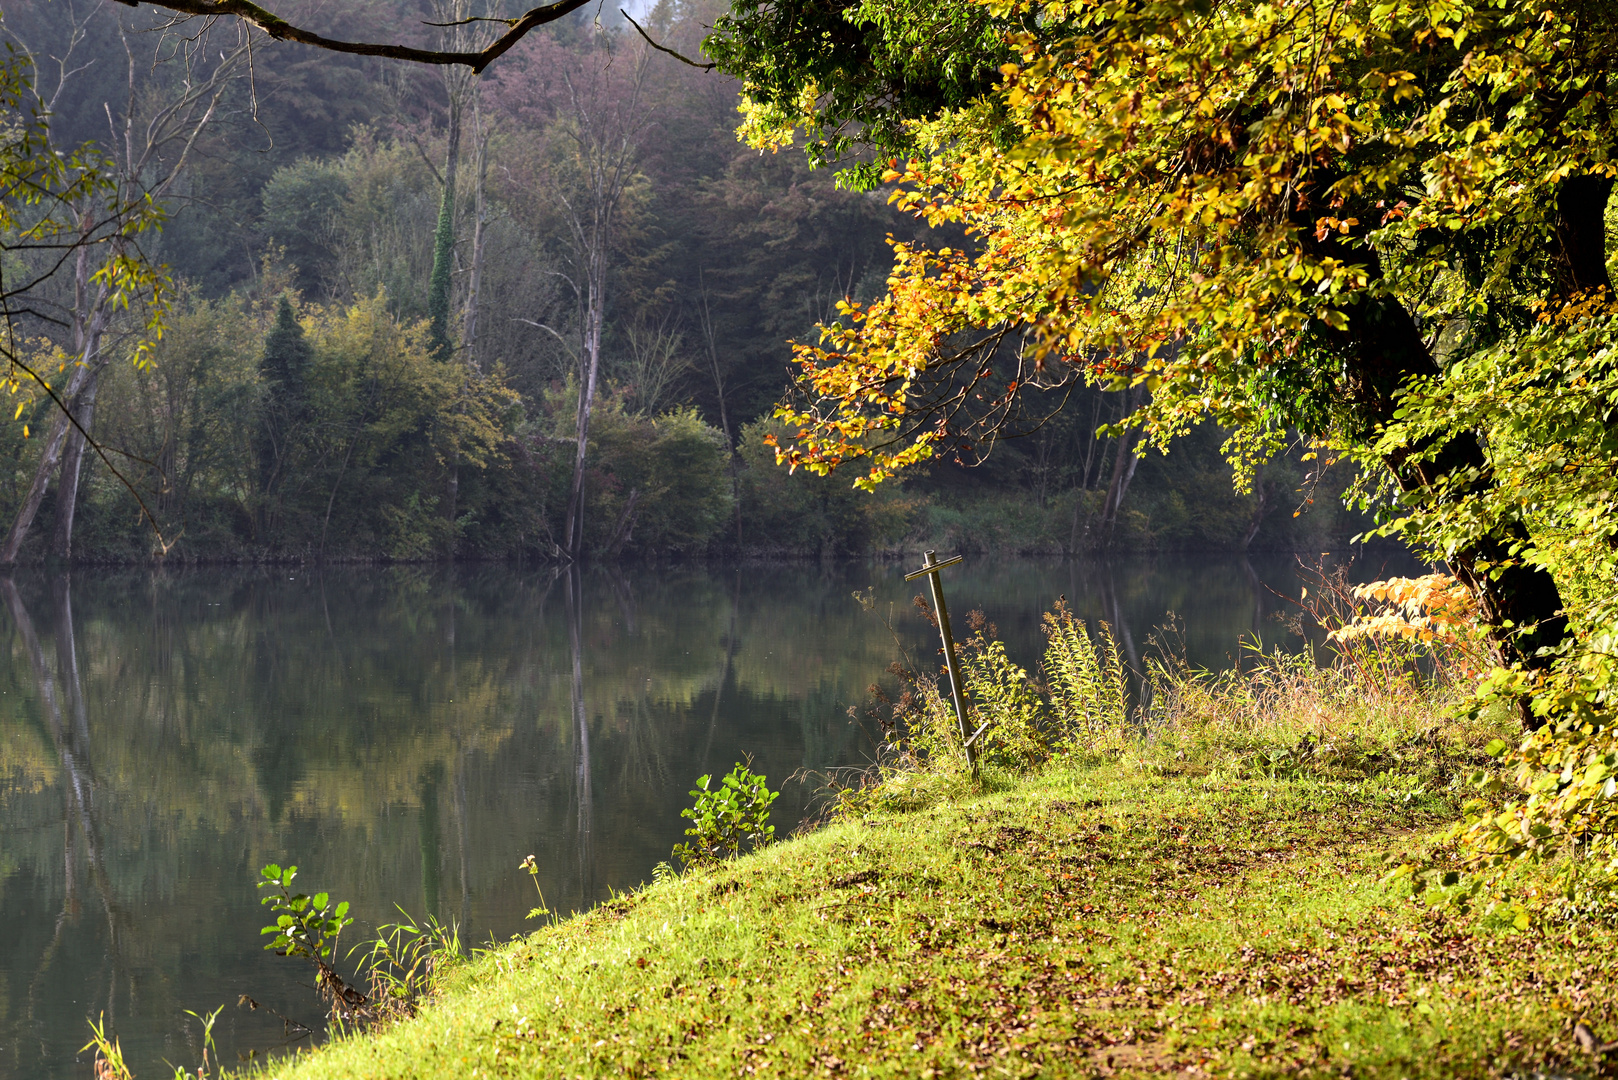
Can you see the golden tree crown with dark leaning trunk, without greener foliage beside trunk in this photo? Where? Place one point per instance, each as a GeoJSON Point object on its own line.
{"type": "Point", "coordinates": [1277, 219]}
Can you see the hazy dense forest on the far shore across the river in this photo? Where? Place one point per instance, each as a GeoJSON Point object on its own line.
{"type": "Point", "coordinates": [546, 312]}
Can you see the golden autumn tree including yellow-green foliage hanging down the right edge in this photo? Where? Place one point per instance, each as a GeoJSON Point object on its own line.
{"type": "Point", "coordinates": [1379, 224]}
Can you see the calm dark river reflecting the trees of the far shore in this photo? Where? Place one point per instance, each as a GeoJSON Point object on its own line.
{"type": "Point", "coordinates": [407, 736]}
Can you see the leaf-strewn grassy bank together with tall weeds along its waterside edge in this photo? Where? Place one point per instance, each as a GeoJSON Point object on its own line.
{"type": "Point", "coordinates": [1209, 878]}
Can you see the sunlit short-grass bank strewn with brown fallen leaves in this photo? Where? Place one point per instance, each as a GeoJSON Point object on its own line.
{"type": "Point", "coordinates": [1201, 904]}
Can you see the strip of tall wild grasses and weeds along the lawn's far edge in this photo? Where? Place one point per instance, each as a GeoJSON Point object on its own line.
{"type": "Point", "coordinates": [1365, 699]}
